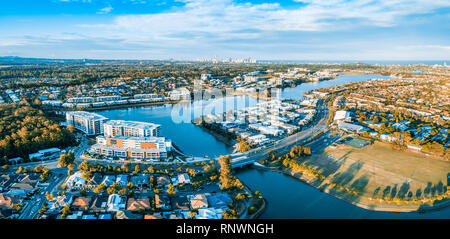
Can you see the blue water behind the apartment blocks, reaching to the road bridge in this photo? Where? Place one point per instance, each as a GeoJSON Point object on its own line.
{"type": "Point", "coordinates": [175, 121]}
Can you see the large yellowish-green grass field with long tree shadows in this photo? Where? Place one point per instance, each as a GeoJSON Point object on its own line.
{"type": "Point", "coordinates": [378, 171]}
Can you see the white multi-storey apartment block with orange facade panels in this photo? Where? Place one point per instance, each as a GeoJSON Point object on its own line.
{"type": "Point", "coordinates": [137, 148]}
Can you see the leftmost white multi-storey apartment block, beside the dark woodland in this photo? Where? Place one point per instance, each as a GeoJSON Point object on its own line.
{"type": "Point", "coordinates": [89, 123]}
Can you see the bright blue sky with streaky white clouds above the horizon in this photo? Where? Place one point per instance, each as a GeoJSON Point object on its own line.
{"type": "Point", "coordinates": [260, 29]}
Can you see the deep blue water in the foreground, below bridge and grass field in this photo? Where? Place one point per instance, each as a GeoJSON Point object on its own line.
{"type": "Point", "coordinates": [289, 198]}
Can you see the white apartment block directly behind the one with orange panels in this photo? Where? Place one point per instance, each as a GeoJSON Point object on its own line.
{"type": "Point", "coordinates": [131, 129]}
